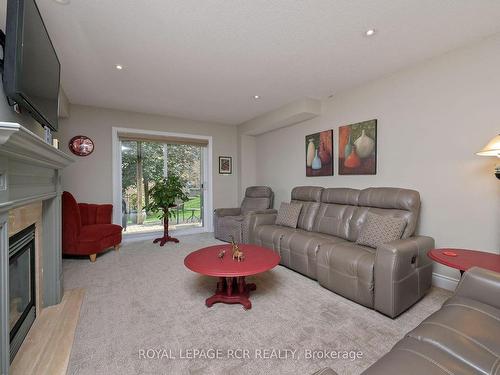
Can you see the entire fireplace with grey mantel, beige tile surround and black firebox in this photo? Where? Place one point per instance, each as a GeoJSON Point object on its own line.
{"type": "Point", "coordinates": [30, 272]}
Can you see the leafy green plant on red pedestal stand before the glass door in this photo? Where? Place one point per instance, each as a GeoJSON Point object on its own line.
{"type": "Point", "coordinates": [165, 194]}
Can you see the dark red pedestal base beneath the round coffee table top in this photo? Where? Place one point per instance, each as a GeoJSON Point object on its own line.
{"type": "Point", "coordinates": [232, 290]}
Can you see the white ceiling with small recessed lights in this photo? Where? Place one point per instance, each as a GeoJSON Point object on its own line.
{"type": "Point", "coordinates": [205, 59]}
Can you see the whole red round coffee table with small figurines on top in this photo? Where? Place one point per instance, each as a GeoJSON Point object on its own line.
{"type": "Point", "coordinates": [231, 287]}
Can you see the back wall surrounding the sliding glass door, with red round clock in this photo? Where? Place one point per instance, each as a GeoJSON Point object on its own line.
{"type": "Point", "coordinates": [90, 177]}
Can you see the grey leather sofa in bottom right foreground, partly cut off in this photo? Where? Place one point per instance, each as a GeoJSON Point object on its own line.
{"type": "Point", "coordinates": [463, 337]}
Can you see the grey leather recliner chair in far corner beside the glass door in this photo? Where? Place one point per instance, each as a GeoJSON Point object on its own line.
{"type": "Point", "coordinates": [234, 222]}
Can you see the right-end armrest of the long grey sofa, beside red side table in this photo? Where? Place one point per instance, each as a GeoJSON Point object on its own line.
{"type": "Point", "coordinates": [403, 273]}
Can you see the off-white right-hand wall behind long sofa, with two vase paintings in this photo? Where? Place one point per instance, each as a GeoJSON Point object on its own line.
{"type": "Point", "coordinates": [431, 120]}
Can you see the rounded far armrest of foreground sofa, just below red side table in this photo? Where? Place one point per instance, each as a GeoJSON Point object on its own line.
{"type": "Point", "coordinates": [481, 285]}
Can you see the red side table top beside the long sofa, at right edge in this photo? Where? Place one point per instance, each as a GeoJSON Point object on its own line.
{"type": "Point", "coordinates": [463, 259]}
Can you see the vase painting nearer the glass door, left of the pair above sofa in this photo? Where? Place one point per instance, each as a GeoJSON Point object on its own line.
{"type": "Point", "coordinates": [319, 154]}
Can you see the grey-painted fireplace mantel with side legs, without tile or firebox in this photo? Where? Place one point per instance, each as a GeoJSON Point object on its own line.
{"type": "Point", "coordinates": [29, 172]}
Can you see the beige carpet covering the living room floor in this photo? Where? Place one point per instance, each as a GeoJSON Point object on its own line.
{"type": "Point", "coordinates": [143, 298]}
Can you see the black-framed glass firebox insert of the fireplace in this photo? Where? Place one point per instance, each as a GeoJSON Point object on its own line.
{"type": "Point", "coordinates": [22, 286]}
